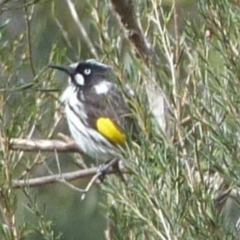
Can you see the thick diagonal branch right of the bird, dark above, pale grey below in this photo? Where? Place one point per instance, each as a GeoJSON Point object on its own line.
{"type": "Point", "coordinates": [158, 102]}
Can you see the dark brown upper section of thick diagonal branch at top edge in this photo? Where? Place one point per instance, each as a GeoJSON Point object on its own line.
{"type": "Point", "coordinates": [125, 10]}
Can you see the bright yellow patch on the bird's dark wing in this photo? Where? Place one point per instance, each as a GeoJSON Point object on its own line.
{"type": "Point", "coordinates": [109, 130]}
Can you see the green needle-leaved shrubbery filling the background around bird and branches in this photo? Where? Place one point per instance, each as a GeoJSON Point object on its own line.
{"type": "Point", "coordinates": [184, 181]}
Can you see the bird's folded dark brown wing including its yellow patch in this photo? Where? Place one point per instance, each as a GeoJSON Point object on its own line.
{"type": "Point", "coordinates": [109, 114]}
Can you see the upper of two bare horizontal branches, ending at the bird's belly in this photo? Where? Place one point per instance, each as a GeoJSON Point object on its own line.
{"type": "Point", "coordinates": [41, 145]}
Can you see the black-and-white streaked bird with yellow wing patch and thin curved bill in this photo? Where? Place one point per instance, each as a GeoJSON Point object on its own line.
{"type": "Point", "coordinates": [98, 114]}
